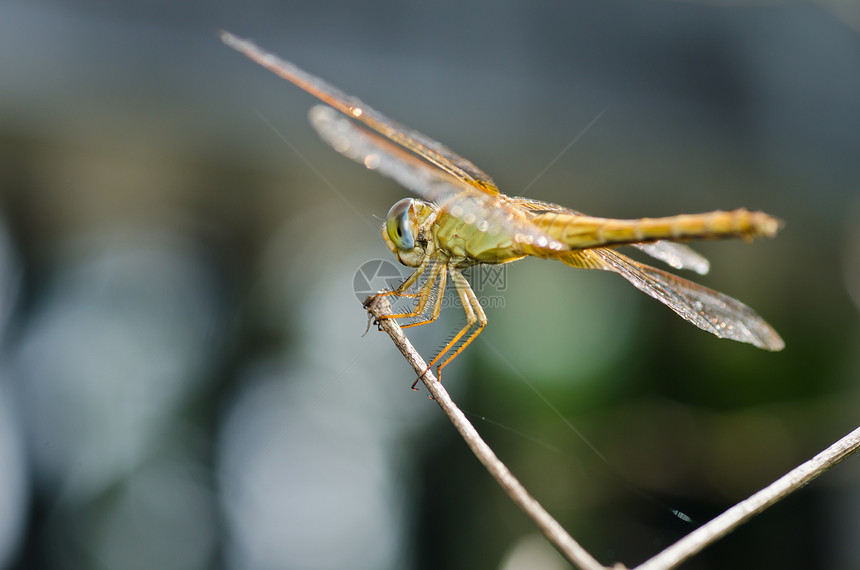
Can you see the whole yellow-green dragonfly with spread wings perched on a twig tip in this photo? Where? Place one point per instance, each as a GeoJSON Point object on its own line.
{"type": "Point", "coordinates": [462, 220]}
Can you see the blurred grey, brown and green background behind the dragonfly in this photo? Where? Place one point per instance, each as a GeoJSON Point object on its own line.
{"type": "Point", "coordinates": [183, 381]}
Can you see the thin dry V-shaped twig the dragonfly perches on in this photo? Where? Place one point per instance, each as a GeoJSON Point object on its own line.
{"type": "Point", "coordinates": [672, 556]}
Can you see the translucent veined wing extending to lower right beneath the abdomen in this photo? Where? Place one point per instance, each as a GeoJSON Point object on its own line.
{"type": "Point", "coordinates": [709, 310]}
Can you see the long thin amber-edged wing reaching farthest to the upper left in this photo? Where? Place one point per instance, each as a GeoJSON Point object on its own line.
{"type": "Point", "coordinates": [430, 150]}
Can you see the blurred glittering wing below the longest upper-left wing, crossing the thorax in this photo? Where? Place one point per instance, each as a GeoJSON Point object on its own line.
{"type": "Point", "coordinates": [492, 213]}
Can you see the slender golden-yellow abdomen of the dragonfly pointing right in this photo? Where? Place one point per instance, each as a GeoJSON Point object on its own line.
{"type": "Point", "coordinates": [580, 232]}
